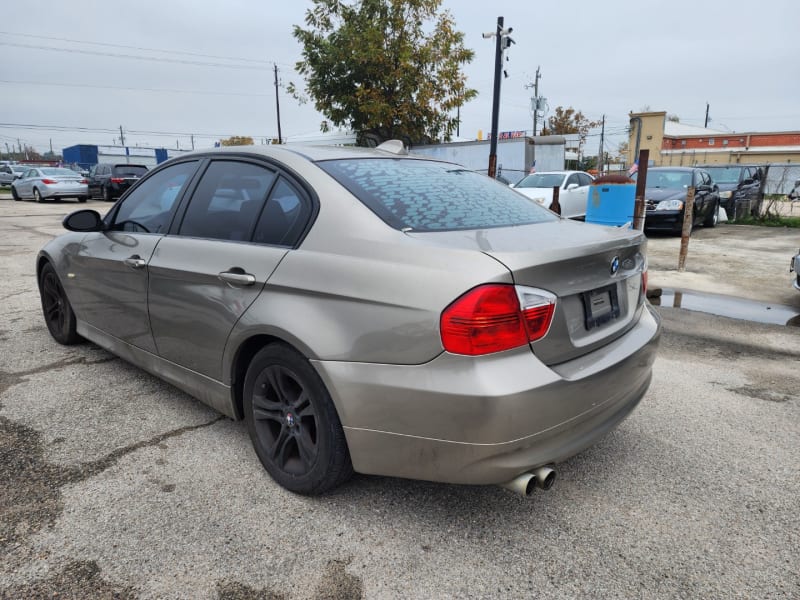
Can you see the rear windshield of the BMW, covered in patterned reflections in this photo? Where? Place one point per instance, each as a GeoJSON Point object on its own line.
{"type": "Point", "coordinates": [425, 195]}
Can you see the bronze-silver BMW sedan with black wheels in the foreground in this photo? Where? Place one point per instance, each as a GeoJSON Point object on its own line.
{"type": "Point", "coordinates": [364, 310]}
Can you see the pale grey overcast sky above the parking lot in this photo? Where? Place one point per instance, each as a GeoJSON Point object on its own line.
{"type": "Point", "coordinates": [70, 72]}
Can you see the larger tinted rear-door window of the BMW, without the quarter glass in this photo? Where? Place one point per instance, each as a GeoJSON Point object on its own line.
{"type": "Point", "coordinates": [228, 201]}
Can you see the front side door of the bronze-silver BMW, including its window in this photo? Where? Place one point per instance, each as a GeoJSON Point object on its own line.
{"type": "Point", "coordinates": [108, 280]}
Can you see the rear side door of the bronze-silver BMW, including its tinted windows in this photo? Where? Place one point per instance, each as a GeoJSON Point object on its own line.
{"type": "Point", "coordinates": [229, 241]}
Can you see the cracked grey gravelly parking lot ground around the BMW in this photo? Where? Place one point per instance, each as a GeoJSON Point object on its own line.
{"type": "Point", "coordinates": [113, 484]}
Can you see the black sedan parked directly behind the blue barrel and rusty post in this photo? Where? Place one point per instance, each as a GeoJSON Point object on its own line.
{"type": "Point", "coordinates": [665, 198]}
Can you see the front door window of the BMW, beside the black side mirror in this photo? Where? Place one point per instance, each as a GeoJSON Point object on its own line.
{"type": "Point", "coordinates": [149, 208]}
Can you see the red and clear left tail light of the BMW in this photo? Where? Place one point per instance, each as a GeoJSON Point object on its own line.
{"type": "Point", "coordinates": [495, 317]}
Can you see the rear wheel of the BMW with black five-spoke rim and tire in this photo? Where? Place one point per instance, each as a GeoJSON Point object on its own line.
{"type": "Point", "coordinates": [293, 424]}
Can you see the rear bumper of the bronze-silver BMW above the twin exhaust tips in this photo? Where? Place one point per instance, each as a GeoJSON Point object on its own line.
{"type": "Point", "coordinates": [486, 420]}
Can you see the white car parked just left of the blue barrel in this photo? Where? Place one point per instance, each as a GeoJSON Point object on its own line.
{"type": "Point", "coordinates": [572, 196]}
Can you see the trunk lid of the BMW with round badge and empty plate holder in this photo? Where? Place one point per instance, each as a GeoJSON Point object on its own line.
{"type": "Point", "coordinates": [594, 271]}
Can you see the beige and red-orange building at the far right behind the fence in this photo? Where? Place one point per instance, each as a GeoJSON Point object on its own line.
{"type": "Point", "coordinates": [677, 144]}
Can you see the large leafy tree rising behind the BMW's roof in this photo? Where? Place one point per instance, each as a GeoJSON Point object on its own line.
{"type": "Point", "coordinates": [384, 68]}
